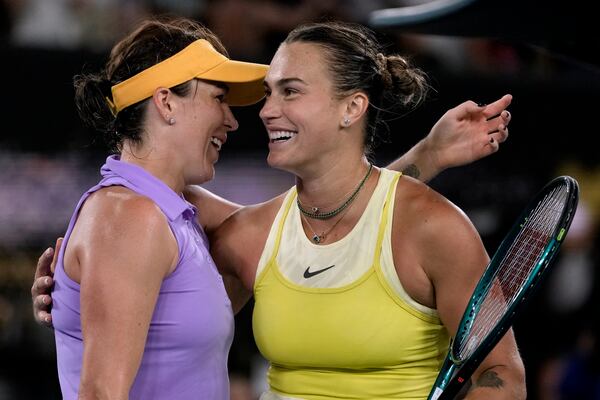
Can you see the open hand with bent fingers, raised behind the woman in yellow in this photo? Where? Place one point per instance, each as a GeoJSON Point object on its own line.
{"type": "Point", "coordinates": [468, 133]}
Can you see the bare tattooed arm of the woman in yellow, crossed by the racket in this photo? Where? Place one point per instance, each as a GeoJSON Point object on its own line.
{"type": "Point", "coordinates": [454, 261]}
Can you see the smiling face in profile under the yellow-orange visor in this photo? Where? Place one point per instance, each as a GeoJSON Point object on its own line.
{"type": "Point", "coordinates": [202, 122]}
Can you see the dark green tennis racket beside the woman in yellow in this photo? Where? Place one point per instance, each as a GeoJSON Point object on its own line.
{"type": "Point", "coordinates": [508, 282]}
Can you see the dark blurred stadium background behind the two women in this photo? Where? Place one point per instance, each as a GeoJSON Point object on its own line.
{"type": "Point", "coordinates": [544, 54]}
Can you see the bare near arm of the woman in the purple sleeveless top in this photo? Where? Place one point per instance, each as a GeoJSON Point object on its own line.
{"type": "Point", "coordinates": [127, 250]}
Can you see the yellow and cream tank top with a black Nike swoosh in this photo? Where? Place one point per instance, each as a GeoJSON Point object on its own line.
{"type": "Point", "coordinates": [334, 320]}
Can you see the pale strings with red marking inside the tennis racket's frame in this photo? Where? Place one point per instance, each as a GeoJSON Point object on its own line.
{"type": "Point", "coordinates": [516, 268]}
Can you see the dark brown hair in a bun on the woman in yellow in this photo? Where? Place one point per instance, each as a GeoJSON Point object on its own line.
{"type": "Point", "coordinates": [356, 62]}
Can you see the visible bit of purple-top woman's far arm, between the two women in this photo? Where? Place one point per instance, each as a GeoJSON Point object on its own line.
{"type": "Point", "coordinates": [212, 209]}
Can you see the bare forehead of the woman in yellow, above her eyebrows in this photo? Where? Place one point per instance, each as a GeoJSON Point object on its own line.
{"type": "Point", "coordinates": [298, 60]}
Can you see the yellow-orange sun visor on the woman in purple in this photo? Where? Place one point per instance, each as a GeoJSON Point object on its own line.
{"type": "Point", "coordinates": [198, 60]}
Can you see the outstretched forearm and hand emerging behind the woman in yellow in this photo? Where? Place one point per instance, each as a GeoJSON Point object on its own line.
{"type": "Point", "coordinates": [462, 135]}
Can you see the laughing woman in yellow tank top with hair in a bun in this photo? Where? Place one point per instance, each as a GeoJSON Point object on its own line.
{"type": "Point", "coordinates": [359, 275]}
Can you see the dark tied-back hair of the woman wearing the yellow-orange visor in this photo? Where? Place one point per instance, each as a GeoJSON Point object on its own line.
{"type": "Point", "coordinates": [150, 43]}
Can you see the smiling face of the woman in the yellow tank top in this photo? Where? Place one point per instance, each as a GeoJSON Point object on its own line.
{"type": "Point", "coordinates": [302, 112]}
